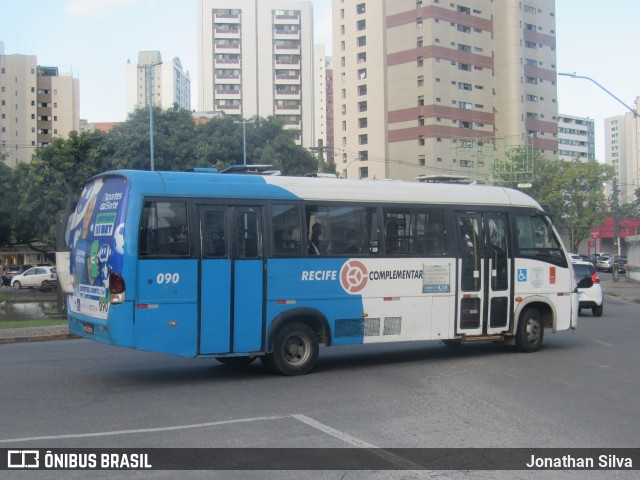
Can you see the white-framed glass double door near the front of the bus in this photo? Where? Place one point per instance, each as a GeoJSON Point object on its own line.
{"type": "Point", "coordinates": [484, 274]}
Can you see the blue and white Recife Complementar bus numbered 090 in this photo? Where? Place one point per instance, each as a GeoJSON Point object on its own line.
{"type": "Point", "coordinates": [239, 267]}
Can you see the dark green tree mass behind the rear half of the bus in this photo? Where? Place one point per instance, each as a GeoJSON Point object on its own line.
{"type": "Point", "coordinates": [34, 193]}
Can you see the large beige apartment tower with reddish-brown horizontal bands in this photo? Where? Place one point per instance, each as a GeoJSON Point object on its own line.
{"type": "Point", "coordinates": [426, 87]}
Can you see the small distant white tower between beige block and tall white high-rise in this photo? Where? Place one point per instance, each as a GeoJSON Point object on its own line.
{"type": "Point", "coordinates": [169, 82]}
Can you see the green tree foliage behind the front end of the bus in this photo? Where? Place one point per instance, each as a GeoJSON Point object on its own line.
{"type": "Point", "coordinates": [572, 192]}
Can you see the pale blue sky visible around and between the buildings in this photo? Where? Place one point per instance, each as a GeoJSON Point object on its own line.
{"type": "Point", "coordinates": [95, 38]}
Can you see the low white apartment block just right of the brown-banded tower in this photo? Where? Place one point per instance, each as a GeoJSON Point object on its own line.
{"type": "Point", "coordinates": [576, 138]}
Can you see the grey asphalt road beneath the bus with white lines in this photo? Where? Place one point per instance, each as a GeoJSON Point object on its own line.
{"type": "Point", "coordinates": [580, 390]}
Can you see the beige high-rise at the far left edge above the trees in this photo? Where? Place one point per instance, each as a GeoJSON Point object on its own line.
{"type": "Point", "coordinates": [37, 103]}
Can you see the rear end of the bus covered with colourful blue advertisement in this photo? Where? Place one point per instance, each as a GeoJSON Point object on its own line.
{"type": "Point", "coordinates": [95, 234]}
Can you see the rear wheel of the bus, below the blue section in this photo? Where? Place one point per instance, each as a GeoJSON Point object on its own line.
{"type": "Point", "coordinates": [295, 350]}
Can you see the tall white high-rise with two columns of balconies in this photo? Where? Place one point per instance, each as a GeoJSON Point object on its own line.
{"type": "Point", "coordinates": [256, 59]}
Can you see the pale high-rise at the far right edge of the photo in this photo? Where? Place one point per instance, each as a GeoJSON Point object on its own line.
{"type": "Point", "coordinates": [622, 150]}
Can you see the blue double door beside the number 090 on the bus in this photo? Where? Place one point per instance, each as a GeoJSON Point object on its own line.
{"type": "Point", "coordinates": [231, 288]}
